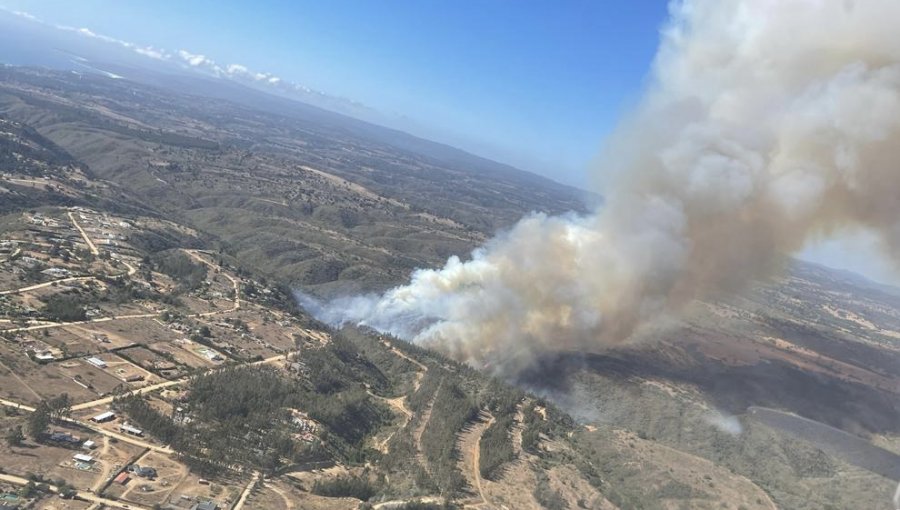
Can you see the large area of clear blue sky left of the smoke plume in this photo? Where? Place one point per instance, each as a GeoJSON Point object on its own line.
{"type": "Point", "coordinates": [536, 84]}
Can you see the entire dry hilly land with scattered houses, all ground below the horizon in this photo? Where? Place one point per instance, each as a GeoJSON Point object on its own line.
{"type": "Point", "coordinates": [150, 242]}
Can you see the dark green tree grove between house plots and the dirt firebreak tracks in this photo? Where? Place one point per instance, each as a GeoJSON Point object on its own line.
{"type": "Point", "coordinates": [243, 415]}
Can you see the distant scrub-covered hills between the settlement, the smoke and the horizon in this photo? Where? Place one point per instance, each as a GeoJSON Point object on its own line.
{"type": "Point", "coordinates": [315, 204]}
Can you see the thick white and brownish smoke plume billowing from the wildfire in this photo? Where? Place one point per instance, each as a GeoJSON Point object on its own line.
{"type": "Point", "coordinates": [767, 123]}
